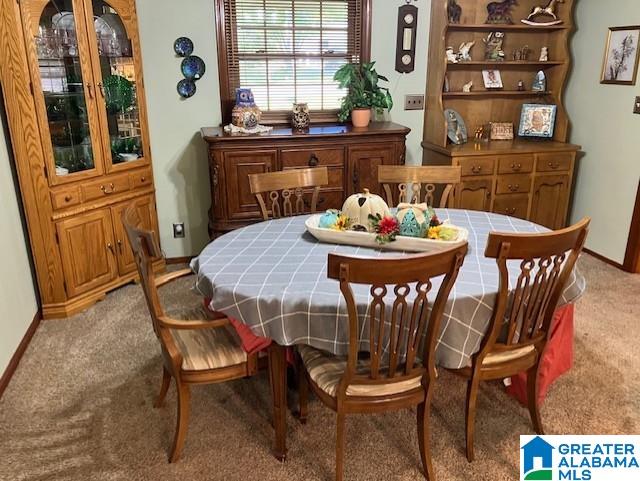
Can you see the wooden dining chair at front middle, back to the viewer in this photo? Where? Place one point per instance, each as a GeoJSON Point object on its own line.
{"type": "Point", "coordinates": [401, 333]}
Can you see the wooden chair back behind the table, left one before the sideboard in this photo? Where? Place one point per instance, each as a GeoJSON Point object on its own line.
{"type": "Point", "coordinates": [281, 186]}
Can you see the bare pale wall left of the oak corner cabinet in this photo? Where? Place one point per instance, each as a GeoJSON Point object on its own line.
{"type": "Point", "coordinates": [18, 303]}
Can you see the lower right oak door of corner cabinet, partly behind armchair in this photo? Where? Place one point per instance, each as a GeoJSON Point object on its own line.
{"type": "Point", "coordinates": [147, 213]}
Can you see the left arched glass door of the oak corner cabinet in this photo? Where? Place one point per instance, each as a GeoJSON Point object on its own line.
{"type": "Point", "coordinates": [63, 88]}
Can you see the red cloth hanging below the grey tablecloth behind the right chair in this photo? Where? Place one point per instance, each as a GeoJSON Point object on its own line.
{"type": "Point", "coordinates": [556, 359]}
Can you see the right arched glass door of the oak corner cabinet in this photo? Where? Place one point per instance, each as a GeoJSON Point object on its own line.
{"type": "Point", "coordinates": [116, 63]}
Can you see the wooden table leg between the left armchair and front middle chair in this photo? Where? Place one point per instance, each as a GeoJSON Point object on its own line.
{"type": "Point", "coordinates": [278, 380]}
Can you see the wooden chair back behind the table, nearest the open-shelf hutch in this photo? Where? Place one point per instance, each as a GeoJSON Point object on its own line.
{"type": "Point", "coordinates": [410, 180]}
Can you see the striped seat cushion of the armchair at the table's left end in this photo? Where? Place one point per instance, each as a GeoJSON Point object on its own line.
{"type": "Point", "coordinates": [204, 349]}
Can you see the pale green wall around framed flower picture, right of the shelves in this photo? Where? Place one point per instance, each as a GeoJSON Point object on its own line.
{"type": "Point", "coordinates": [603, 123]}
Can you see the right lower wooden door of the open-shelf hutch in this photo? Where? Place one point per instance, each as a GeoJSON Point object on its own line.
{"type": "Point", "coordinates": [550, 196]}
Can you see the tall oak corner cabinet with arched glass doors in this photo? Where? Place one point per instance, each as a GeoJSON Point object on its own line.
{"type": "Point", "coordinates": [71, 76]}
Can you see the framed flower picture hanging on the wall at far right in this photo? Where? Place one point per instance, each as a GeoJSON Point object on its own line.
{"type": "Point", "coordinates": [621, 57]}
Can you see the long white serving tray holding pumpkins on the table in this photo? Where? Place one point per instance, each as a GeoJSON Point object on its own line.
{"type": "Point", "coordinates": [366, 239]}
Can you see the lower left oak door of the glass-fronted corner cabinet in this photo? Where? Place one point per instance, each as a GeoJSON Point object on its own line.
{"type": "Point", "coordinates": [87, 250]}
